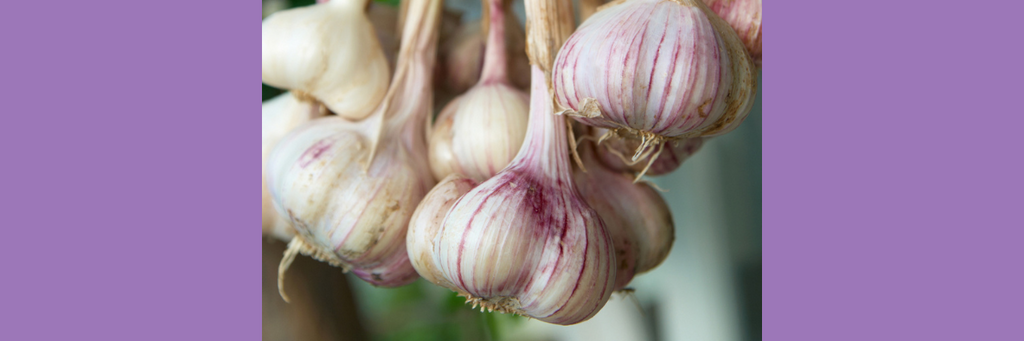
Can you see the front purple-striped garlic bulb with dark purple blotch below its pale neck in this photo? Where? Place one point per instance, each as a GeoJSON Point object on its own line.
{"type": "Point", "coordinates": [525, 241]}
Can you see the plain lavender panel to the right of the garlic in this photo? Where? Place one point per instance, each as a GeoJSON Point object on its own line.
{"type": "Point", "coordinates": [892, 172]}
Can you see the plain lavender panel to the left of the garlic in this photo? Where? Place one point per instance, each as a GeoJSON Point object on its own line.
{"type": "Point", "coordinates": [129, 170]}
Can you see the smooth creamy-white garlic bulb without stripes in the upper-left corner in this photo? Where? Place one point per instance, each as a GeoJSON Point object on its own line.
{"type": "Point", "coordinates": [330, 52]}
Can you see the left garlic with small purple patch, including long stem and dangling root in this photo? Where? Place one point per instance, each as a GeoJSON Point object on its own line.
{"type": "Point", "coordinates": [351, 188]}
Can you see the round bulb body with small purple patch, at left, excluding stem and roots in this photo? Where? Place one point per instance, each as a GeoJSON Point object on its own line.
{"type": "Point", "coordinates": [353, 211]}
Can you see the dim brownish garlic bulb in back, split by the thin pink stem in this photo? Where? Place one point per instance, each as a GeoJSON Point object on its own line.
{"type": "Point", "coordinates": [463, 57]}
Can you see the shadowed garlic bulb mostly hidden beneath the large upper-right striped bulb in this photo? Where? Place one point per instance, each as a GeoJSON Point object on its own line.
{"type": "Point", "coordinates": [661, 160]}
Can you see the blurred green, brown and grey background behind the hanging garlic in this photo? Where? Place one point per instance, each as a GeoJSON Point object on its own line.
{"type": "Point", "coordinates": [708, 289]}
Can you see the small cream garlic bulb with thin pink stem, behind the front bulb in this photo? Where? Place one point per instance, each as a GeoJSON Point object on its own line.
{"type": "Point", "coordinates": [479, 134]}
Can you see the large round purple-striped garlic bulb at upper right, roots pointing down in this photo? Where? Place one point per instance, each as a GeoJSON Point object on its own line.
{"type": "Point", "coordinates": [656, 70]}
